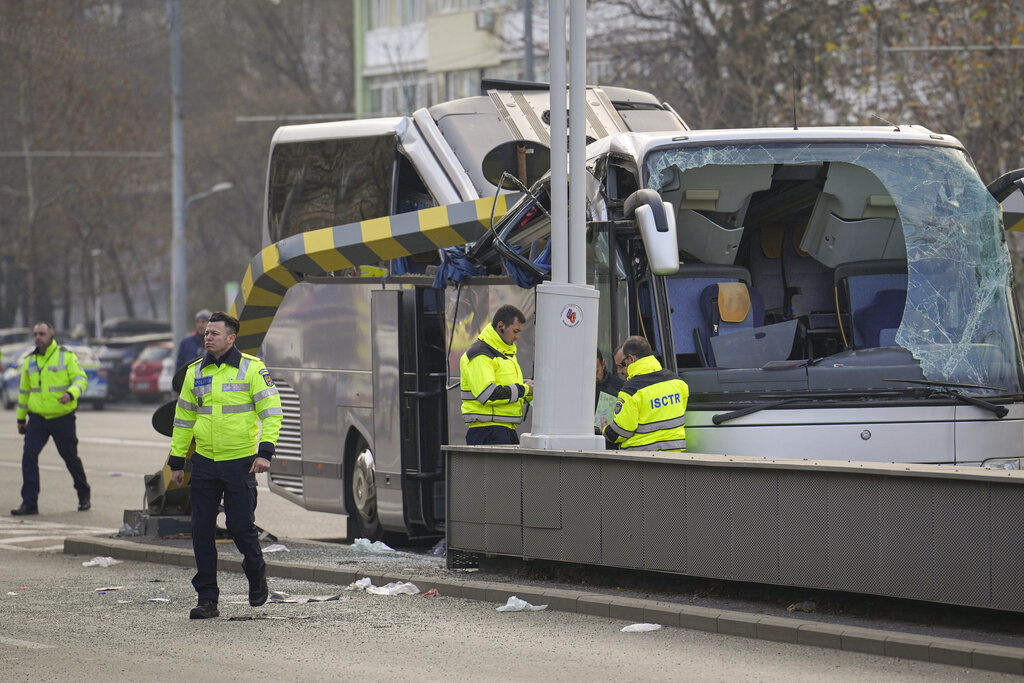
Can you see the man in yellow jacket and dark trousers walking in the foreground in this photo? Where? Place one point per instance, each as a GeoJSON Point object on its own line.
{"type": "Point", "coordinates": [228, 403]}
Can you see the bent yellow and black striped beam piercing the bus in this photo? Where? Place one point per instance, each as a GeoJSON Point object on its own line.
{"type": "Point", "coordinates": [277, 269]}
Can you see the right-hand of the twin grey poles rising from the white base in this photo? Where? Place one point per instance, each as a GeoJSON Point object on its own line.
{"type": "Point", "coordinates": [578, 143]}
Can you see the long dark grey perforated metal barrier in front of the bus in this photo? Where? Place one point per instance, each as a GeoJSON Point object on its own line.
{"type": "Point", "coordinates": [946, 535]}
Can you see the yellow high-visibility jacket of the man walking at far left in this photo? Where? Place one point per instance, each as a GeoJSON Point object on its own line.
{"type": "Point", "coordinates": [48, 376]}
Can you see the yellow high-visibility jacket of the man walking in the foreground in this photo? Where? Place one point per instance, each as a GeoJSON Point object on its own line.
{"type": "Point", "coordinates": [225, 407]}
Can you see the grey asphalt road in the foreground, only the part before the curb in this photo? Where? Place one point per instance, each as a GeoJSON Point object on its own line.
{"type": "Point", "coordinates": [59, 627]}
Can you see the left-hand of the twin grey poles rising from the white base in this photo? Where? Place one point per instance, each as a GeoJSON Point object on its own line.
{"type": "Point", "coordinates": [560, 145]}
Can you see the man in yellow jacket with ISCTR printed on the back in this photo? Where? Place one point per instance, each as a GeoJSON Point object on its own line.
{"type": "Point", "coordinates": [652, 407]}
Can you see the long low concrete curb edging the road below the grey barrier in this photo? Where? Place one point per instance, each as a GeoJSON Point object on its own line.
{"type": "Point", "coordinates": [855, 639]}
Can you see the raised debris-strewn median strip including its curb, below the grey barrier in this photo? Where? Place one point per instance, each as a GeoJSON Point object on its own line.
{"type": "Point", "coordinates": [338, 565]}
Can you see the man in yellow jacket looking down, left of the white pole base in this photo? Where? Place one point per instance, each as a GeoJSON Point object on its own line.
{"type": "Point", "coordinates": [494, 394]}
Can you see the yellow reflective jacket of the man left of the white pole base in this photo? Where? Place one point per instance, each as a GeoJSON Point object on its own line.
{"type": "Point", "coordinates": [493, 391]}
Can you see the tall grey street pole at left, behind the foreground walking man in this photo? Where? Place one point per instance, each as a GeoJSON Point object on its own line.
{"type": "Point", "coordinates": [179, 287]}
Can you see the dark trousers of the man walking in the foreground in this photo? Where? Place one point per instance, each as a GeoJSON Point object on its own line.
{"type": "Point", "coordinates": [229, 481]}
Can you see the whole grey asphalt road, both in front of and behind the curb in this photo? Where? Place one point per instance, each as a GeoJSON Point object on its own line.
{"type": "Point", "coordinates": [57, 626]}
